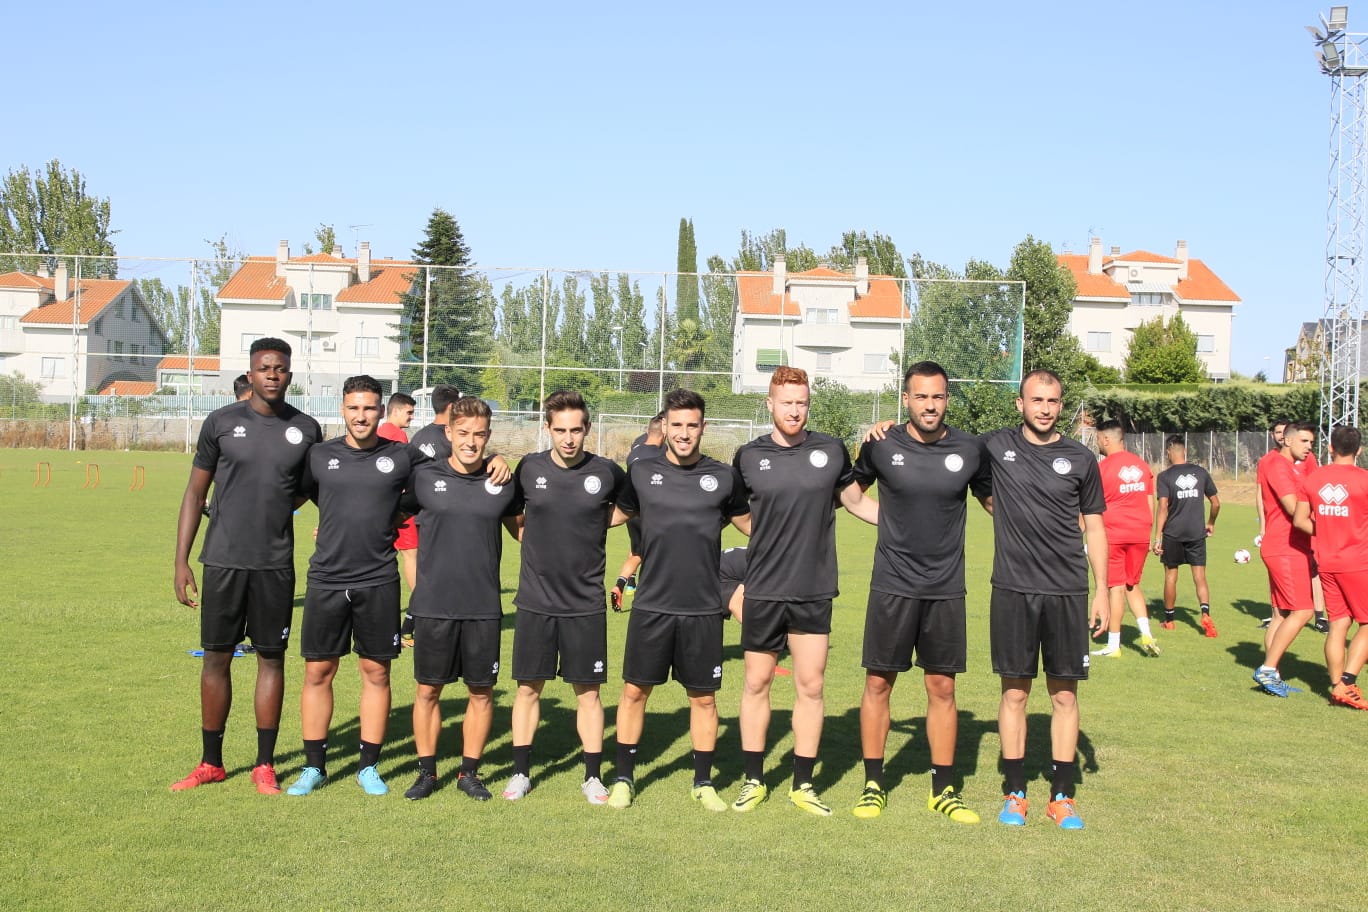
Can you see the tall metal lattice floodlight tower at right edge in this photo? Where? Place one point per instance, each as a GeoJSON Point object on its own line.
{"type": "Point", "coordinates": [1344, 59]}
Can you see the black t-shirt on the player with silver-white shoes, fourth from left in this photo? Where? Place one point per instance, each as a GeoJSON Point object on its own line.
{"type": "Point", "coordinates": [564, 534]}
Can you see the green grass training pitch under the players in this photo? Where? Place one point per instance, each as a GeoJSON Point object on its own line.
{"type": "Point", "coordinates": [1199, 792]}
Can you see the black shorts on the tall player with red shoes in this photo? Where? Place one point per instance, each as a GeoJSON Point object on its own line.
{"type": "Point", "coordinates": [247, 604]}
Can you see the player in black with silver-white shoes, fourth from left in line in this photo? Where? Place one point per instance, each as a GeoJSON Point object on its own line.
{"type": "Point", "coordinates": [568, 504]}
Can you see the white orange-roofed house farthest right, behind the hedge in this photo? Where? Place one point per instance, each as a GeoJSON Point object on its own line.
{"type": "Point", "coordinates": [1120, 292]}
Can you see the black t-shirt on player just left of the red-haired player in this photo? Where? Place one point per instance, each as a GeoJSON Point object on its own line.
{"type": "Point", "coordinates": [683, 511]}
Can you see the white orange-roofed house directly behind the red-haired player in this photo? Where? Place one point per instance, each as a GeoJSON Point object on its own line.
{"type": "Point", "coordinates": [834, 325]}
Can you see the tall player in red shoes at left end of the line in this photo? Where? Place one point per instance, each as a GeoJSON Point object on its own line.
{"type": "Point", "coordinates": [254, 453]}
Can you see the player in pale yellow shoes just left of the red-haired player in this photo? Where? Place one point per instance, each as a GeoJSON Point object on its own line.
{"type": "Point", "coordinates": [685, 500]}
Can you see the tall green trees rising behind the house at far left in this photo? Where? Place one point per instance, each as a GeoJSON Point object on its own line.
{"type": "Point", "coordinates": [51, 214]}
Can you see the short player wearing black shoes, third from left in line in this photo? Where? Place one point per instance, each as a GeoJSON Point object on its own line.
{"type": "Point", "coordinates": [456, 608]}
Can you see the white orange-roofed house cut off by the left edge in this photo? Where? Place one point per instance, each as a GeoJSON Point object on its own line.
{"type": "Point", "coordinates": [73, 337]}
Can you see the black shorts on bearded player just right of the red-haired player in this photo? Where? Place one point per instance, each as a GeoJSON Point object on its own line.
{"type": "Point", "coordinates": [895, 627]}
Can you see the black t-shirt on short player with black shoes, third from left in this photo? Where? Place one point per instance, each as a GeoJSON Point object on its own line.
{"type": "Point", "coordinates": [460, 520]}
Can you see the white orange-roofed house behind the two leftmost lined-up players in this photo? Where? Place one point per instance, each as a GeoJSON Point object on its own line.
{"type": "Point", "coordinates": [341, 317]}
